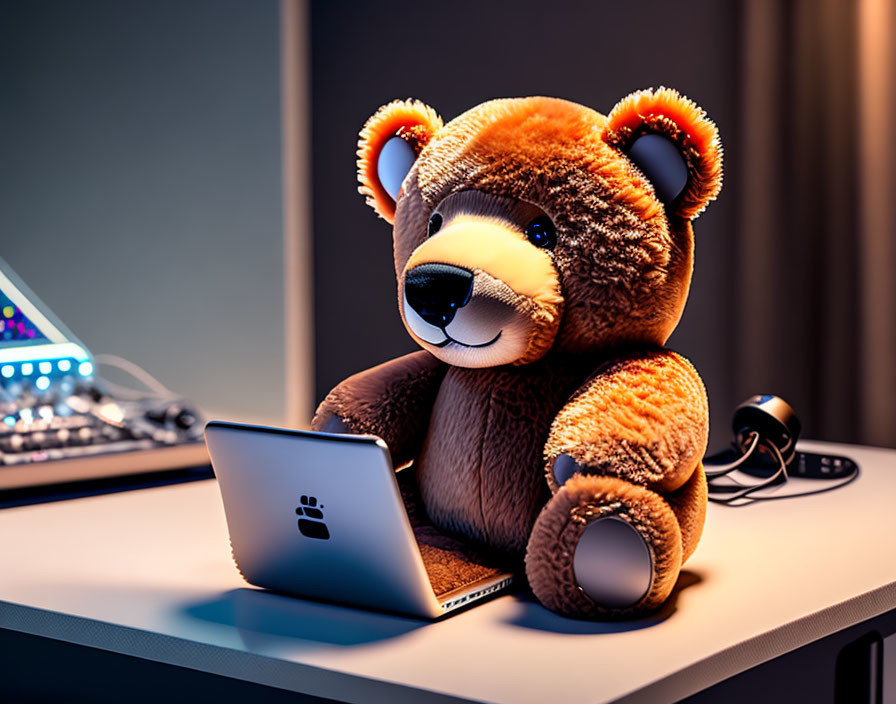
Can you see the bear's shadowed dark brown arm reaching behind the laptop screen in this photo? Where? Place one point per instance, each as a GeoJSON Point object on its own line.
{"type": "Point", "coordinates": [392, 401]}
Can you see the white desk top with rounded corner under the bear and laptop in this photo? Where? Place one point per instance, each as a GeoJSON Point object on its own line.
{"type": "Point", "coordinates": [148, 573]}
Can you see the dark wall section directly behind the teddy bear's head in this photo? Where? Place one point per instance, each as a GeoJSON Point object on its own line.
{"type": "Point", "coordinates": [454, 55]}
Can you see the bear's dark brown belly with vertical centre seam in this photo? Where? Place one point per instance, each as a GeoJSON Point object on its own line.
{"type": "Point", "coordinates": [486, 426]}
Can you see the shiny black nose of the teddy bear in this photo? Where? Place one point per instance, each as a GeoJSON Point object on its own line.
{"type": "Point", "coordinates": [436, 291]}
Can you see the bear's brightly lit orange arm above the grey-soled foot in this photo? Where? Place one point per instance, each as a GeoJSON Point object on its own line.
{"type": "Point", "coordinates": [643, 418]}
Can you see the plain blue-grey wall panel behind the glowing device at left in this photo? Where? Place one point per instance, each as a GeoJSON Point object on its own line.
{"type": "Point", "coordinates": [140, 185]}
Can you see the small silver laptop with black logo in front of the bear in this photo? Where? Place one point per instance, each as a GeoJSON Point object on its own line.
{"type": "Point", "coordinates": [321, 515]}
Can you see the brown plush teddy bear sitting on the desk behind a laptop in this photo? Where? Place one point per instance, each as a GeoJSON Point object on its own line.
{"type": "Point", "coordinates": [543, 254]}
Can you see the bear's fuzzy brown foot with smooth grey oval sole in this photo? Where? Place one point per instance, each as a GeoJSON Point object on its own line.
{"type": "Point", "coordinates": [604, 548]}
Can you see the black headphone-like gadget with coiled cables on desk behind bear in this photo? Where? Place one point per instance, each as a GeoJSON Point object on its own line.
{"type": "Point", "coordinates": [766, 430]}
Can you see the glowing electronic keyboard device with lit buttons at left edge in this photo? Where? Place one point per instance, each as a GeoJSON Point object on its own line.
{"type": "Point", "coordinates": [59, 423]}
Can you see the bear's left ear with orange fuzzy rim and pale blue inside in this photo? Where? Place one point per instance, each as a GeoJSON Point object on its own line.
{"type": "Point", "coordinates": [388, 146]}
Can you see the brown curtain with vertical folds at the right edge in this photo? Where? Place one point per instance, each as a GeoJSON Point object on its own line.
{"type": "Point", "coordinates": [815, 312]}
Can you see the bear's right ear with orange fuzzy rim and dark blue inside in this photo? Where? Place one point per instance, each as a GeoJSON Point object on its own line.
{"type": "Point", "coordinates": [674, 144]}
